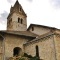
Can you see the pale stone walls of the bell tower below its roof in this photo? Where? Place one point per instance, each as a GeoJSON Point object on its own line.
{"type": "Point", "coordinates": [14, 25]}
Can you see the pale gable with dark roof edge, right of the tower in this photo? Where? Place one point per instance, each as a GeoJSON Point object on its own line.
{"type": "Point", "coordinates": [39, 29]}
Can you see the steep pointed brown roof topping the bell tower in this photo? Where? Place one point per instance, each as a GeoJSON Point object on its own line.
{"type": "Point", "coordinates": [17, 6]}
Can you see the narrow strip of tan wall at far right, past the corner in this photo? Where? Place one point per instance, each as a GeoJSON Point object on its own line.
{"type": "Point", "coordinates": [57, 46]}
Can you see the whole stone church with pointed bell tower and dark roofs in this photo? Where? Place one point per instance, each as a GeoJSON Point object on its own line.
{"type": "Point", "coordinates": [39, 40]}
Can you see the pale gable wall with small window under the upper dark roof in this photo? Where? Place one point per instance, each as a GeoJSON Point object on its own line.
{"type": "Point", "coordinates": [39, 30]}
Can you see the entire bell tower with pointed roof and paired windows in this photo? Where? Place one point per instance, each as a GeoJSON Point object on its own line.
{"type": "Point", "coordinates": [16, 20]}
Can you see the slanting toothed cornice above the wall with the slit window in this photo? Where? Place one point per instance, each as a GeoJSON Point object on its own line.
{"type": "Point", "coordinates": [46, 37]}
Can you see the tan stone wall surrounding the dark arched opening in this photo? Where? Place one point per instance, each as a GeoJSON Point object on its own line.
{"type": "Point", "coordinates": [12, 41]}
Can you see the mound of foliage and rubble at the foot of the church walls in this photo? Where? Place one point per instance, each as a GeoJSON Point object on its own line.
{"type": "Point", "coordinates": [25, 57]}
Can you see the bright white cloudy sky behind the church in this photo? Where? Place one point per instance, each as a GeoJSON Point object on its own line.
{"type": "Point", "coordinates": [42, 12]}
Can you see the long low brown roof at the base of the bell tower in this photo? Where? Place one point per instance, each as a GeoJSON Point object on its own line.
{"type": "Point", "coordinates": [21, 33]}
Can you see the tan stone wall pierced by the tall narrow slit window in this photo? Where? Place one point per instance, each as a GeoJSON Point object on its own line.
{"type": "Point", "coordinates": [46, 48]}
